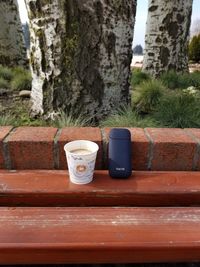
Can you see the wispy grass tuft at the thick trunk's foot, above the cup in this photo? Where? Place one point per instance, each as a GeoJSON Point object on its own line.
{"type": "Point", "coordinates": [69, 120]}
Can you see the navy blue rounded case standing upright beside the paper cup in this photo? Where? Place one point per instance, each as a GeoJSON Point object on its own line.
{"type": "Point", "coordinates": [119, 153]}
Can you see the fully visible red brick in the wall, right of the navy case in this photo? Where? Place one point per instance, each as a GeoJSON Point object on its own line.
{"type": "Point", "coordinates": [173, 149]}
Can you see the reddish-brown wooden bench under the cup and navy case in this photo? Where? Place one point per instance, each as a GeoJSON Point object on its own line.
{"type": "Point", "coordinates": [151, 217]}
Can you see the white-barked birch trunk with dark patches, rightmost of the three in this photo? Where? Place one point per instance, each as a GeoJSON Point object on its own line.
{"type": "Point", "coordinates": [167, 36]}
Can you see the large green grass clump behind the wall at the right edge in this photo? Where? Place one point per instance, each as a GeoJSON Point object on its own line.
{"type": "Point", "coordinates": [181, 110]}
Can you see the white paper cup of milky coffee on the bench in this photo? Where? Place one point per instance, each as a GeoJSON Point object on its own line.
{"type": "Point", "coordinates": [81, 158]}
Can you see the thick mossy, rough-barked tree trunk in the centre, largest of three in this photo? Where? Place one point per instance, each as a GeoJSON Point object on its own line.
{"type": "Point", "coordinates": [81, 52]}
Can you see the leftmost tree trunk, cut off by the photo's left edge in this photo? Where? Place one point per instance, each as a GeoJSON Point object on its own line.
{"type": "Point", "coordinates": [12, 45]}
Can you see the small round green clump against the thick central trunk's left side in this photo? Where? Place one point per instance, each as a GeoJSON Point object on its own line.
{"type": "Point", "coordinates": [22, 81]}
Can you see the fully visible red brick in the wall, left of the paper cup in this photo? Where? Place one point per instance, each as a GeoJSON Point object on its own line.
{"type": "Point", "coordinates": [32, 148]}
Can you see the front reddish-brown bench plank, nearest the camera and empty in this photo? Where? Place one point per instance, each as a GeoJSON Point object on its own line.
{"type": "Point", "coordinates": [99, 235]}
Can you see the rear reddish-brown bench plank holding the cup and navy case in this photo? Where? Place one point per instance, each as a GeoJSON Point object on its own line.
{"type": "Point", "coordinates": [53, 188]}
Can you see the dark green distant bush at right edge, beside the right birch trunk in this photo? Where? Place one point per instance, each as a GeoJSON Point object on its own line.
{"type": "Point", "coordinates": [194, 49]}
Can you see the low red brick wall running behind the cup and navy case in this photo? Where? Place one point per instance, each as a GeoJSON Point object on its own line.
{"type": "Point", "coordinates": [152, 148]}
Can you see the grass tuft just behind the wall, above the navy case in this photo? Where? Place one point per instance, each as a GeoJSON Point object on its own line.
{"type": "Point", "coordinates": [128, 118]}
